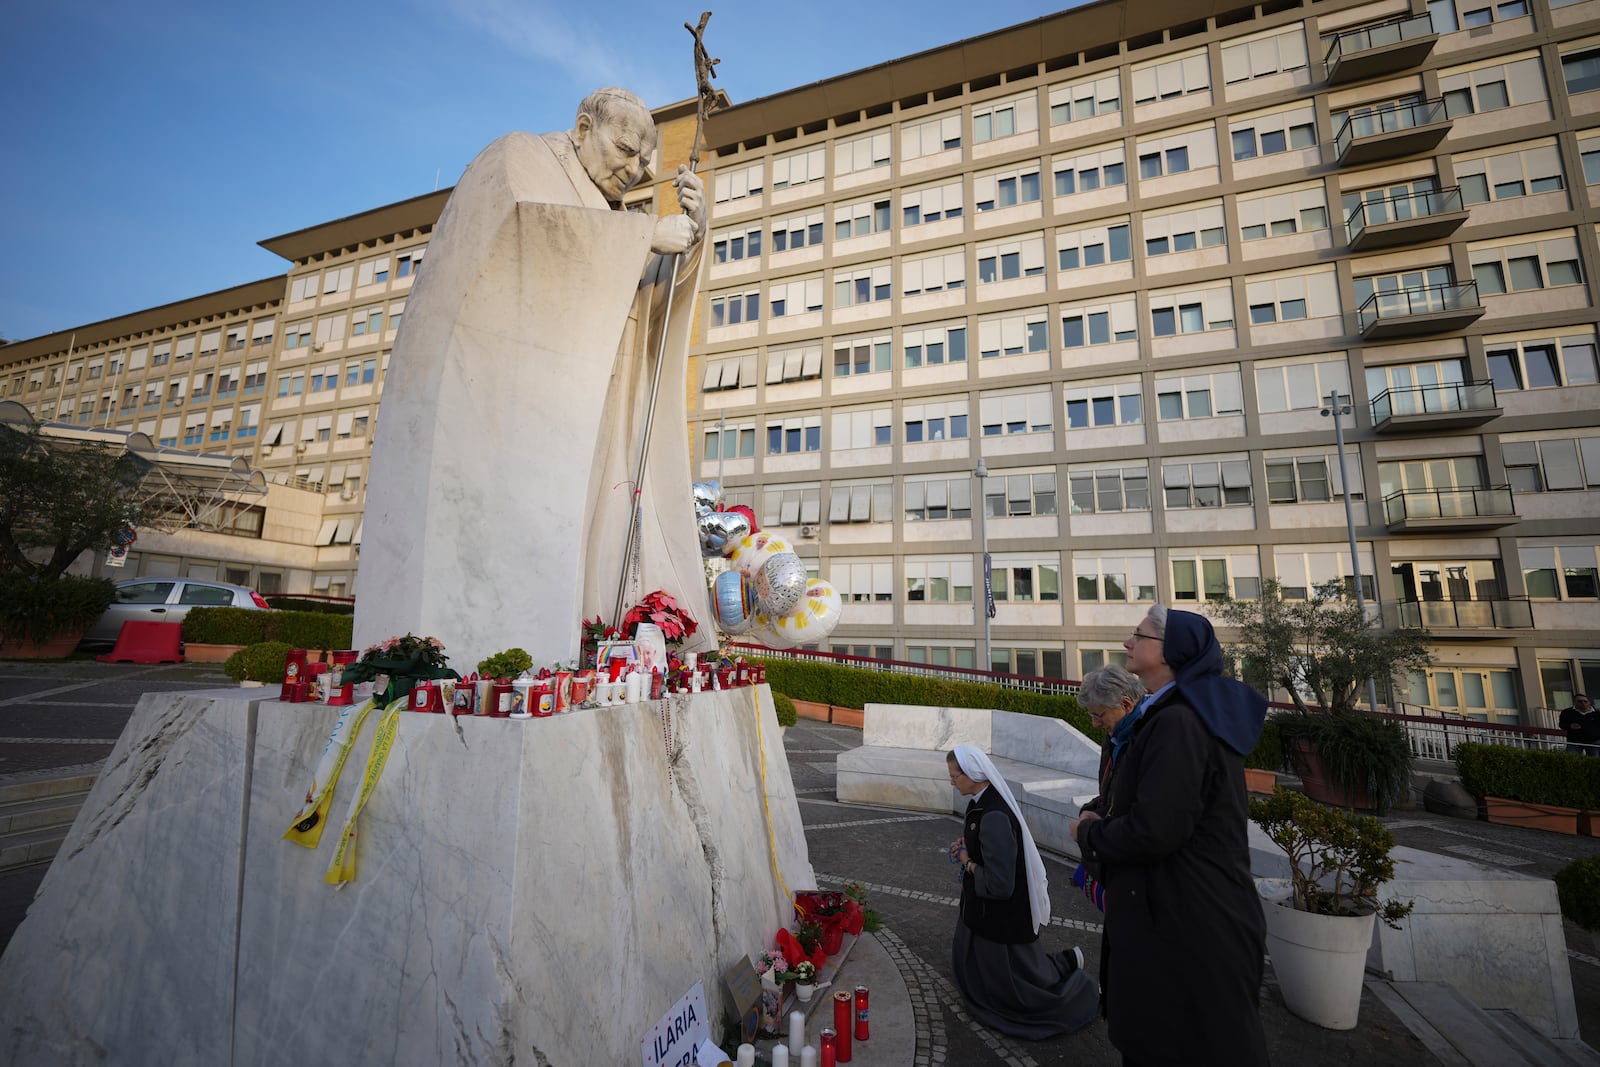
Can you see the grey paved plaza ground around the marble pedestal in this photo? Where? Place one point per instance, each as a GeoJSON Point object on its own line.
{"type": "Point", "coordinates": [66, 716]}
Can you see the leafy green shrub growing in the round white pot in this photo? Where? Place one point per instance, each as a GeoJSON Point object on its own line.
{"type": "Point", "coordinates": [1338, 860]}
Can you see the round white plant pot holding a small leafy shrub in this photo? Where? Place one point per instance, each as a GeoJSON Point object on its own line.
{"type": "Point", "coordinates": [1321, 961]}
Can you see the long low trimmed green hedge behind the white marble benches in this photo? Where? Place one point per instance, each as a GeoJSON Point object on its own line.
{"type": "Point", "coordinates": [855, 687]}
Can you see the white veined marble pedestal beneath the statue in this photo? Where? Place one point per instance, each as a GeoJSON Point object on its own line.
{"type": "Point", "coordinates": [529, 892]}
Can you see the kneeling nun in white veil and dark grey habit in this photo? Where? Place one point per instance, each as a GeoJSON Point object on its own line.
{"type": "Point", "coordinates": [1006, 977]}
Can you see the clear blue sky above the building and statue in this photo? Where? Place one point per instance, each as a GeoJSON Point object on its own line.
{"type": "Point", "coordinates": [150, 146]}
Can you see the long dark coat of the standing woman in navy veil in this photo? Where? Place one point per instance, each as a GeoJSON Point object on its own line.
{"type": "Point", "coordinates": [1182, 954]}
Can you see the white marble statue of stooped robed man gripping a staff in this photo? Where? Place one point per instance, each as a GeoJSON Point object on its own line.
{"type": "Point", "coordinates": [514, 404]}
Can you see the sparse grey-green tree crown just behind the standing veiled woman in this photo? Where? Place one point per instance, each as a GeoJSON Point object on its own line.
{"type": "Point", "coordinates": [1321, 645]}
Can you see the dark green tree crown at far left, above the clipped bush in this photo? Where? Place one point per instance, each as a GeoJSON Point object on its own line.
{"type": "Point", "coordinates": [62, 500]}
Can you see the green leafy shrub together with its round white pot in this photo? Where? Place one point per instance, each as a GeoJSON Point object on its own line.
{"type": "Point", "coordinates": [1321, 922]}
